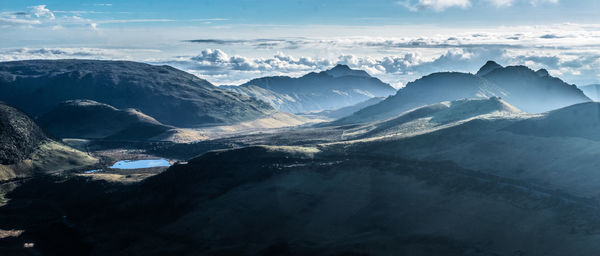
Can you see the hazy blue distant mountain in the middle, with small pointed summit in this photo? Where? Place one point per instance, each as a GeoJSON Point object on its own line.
{"type": "Point", "coordinates": [331, 89]}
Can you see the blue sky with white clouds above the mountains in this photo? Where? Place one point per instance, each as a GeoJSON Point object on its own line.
{"type": "Point", "coordinates": [230, 42]}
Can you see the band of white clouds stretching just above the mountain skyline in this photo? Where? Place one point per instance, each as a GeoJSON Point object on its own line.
{"type": "Point", "coordinates": [571, 51]}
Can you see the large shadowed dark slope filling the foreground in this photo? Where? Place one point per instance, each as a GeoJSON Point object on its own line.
{"type": "Point", "coordinates": [278, 201]}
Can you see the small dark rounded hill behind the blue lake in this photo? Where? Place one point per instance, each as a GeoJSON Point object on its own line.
{"type": "Point", "coordinates": [93, 120]}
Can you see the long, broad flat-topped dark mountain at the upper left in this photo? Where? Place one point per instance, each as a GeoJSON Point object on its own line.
{"type": "Point", "coordinates": [171, 96]}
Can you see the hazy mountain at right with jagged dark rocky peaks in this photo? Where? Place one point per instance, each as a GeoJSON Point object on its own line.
{"type": "Point", "coordinates": [520, 86]}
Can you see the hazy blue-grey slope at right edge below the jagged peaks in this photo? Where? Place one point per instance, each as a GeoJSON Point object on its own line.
{"type": "Point", "coordinates": [580, 120]}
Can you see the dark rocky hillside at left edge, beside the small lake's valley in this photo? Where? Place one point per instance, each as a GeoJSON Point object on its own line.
{"type": "Point", "coordinates": [19, 135]}
